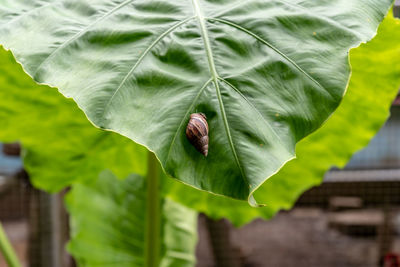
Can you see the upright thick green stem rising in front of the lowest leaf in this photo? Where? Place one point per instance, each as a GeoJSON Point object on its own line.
{"type": "Point", "coordinates": [152, 249]}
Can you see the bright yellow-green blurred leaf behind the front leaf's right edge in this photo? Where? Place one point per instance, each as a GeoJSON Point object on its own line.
{"type": "Point", "coordinates": [373, 86]}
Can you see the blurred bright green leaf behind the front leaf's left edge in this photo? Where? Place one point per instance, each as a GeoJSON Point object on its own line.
{"type": "Point", "coordinates": [61, 145]}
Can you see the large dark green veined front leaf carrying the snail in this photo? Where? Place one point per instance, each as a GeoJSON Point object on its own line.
{"type": "Point", "coordinates": [266, 73]}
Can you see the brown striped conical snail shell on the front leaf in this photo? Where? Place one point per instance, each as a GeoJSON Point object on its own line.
{"type": "Point", "coordinates": [197, 132]}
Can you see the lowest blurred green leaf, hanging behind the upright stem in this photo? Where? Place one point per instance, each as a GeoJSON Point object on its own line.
{"type": "Point", "coordinates": [108, 221]}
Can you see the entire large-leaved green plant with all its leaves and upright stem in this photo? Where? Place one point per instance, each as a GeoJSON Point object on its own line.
{"type": "Point", "coordinates": [266, 76]}
